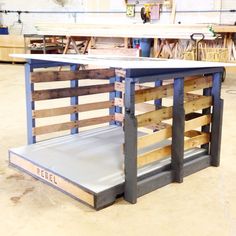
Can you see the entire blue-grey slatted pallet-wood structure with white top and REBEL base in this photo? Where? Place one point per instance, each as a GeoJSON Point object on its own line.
{"type": "Point", "coordinates": [132, 152]}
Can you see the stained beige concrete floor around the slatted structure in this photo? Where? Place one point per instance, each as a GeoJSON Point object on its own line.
{"type": "Point", "coordinates": [205, 204]}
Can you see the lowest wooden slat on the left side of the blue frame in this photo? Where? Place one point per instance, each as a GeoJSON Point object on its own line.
{"type": "Point", "coordinates": [70, 125]}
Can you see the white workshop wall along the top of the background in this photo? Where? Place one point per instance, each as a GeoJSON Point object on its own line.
{"type": "Point", "coordinates": [117, 15]}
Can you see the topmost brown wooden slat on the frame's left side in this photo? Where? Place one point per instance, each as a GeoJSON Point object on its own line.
{"type": "Point", "coordinates": [49, 76]}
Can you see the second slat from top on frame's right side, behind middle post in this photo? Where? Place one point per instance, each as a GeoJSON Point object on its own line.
{"type": "Point", "coordinates": [166, 113]}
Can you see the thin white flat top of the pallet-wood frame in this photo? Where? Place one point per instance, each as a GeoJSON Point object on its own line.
{"type": "Point", "coordinates": [124, 62]}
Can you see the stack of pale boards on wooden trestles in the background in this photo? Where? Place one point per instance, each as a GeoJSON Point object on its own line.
{"type": "Point", "coordinates": [164, 35]}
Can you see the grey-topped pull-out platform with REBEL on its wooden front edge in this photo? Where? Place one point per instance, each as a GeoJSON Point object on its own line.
{"type": "Point", "coordinates": [89, 166]}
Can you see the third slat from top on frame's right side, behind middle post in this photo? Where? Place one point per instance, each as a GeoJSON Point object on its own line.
{"type": "Point", "coordinates": [166, 133]}
